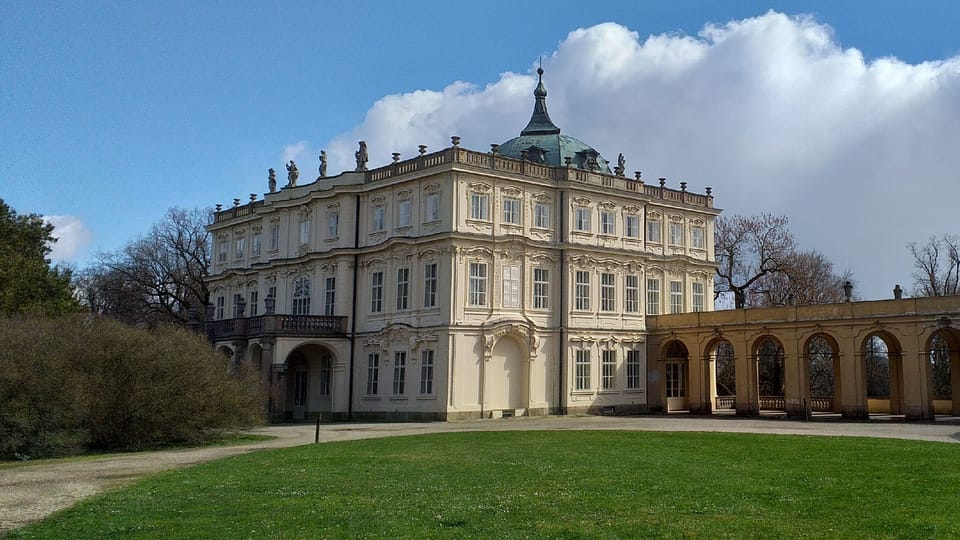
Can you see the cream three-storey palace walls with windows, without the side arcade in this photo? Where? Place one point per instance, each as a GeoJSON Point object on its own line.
{"type": "Point", "coordinates": [458, 284]}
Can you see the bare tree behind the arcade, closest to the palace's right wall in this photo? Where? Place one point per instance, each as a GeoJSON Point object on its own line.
{"type": "Point", "coordinates": [749, 248]}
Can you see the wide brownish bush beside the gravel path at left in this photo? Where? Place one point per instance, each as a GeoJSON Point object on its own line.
{"type": "Point", "coordinates": [79, 383]}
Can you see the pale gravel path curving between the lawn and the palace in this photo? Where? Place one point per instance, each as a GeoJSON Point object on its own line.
{"type": "Point", "coordinates": [30, 492]}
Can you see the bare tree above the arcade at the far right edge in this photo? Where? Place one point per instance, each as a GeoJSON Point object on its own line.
{"type": "Point", "coordinates": [936, 266]}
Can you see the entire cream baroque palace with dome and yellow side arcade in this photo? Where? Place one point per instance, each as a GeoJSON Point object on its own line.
{"type": "Point", "coordinates": [531, 279]}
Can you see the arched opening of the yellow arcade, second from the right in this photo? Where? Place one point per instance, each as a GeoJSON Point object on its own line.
{"type": "Point", "coordinates": [883, 370]}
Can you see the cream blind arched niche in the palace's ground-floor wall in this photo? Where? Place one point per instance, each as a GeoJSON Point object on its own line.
{"type": "Point", "coordinates": [505, 388]}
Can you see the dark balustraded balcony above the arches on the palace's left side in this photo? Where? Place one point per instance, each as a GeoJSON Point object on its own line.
{"type": "Point", "coordinates": [277, 326]}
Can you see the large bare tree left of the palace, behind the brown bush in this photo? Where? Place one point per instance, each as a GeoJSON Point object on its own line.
{"type": "Point", "coordinates": [156, 277]}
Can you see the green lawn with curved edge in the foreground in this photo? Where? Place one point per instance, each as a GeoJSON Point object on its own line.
{"type": "Point", "coordinates": [550, 484]}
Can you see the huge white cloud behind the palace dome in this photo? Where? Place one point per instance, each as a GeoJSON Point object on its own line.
{"type": "Point", "coordinates": [770, 111]}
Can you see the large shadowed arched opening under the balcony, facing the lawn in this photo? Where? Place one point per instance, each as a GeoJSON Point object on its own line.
{"type": "Point", "coordinates": [309, 382]}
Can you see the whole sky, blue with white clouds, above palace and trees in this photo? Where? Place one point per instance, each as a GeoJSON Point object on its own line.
{"type": "Point", "coordinates": [112, 112]}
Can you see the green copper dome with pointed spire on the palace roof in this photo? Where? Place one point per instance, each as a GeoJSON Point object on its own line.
{"type": "Point", "coordinates": [543, 143]}
